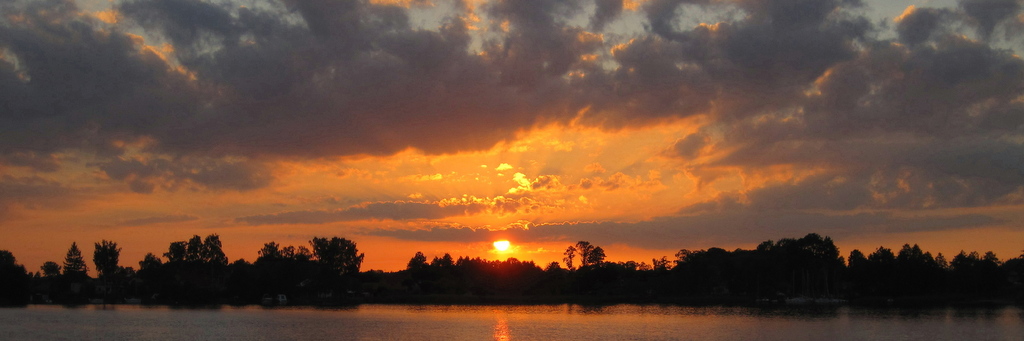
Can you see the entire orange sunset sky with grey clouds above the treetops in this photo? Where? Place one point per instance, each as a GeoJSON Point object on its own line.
{"type": "Point", "coordinates": [644, 127]}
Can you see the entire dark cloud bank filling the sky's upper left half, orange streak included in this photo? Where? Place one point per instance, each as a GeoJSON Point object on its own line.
{"type": "Point", "coordinates": [327, 79]}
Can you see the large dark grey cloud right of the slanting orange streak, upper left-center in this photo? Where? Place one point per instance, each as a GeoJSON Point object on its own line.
{"type": "Point", "coordinates": [344, 78]}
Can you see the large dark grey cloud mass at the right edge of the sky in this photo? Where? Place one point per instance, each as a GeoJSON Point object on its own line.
{"type": "Point", "coordinates": [923, 126]}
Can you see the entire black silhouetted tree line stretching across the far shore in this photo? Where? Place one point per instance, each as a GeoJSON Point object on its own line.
{"type": "Point", "coordinates": [327, 272]}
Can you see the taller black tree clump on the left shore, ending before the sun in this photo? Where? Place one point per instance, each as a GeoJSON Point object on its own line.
{"type": "Point", "coordinates": [192, 272]}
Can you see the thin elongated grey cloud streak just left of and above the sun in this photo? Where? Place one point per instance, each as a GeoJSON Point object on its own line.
{"type": "Point", "coordinates": [374, 211]}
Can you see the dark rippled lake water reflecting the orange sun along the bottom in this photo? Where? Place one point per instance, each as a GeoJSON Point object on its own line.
{"type": "Point", "coordinates": [508, 323]}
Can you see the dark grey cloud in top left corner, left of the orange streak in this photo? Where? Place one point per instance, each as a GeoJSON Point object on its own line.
{"type": "Point", "coordinates": [67, 84]}
